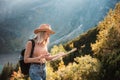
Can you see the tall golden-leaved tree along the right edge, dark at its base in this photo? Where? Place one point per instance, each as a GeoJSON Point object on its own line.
{"type": "Point", "coordinates": [107, 46]}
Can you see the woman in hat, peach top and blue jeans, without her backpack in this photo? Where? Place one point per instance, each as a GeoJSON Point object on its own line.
{"type": "Point", "coordinates": [40, 55]}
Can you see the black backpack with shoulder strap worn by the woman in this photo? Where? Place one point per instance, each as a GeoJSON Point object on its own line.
{"type": "Point", "coordinates": [25, 66]}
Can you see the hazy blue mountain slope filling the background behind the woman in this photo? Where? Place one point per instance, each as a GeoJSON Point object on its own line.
{"type": "Point", "coordinates": [19, 18]}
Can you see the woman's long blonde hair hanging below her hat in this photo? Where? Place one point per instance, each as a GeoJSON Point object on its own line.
{"type": "Point", "coordinates": [40, 39]}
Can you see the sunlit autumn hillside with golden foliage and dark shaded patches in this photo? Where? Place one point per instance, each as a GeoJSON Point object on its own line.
{"type": "Point", "coordinates": [103, 45]}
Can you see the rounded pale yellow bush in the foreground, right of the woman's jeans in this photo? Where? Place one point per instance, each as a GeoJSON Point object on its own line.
{"type": "Point", "coordinates": [85, 68]}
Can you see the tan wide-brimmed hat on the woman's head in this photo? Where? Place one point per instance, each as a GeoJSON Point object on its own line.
{"type": "Point", "coordinates": [44, 27]}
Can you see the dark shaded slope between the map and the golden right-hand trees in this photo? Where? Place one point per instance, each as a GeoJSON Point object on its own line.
{"type": "Point", "coordinates": [82, 43]}
